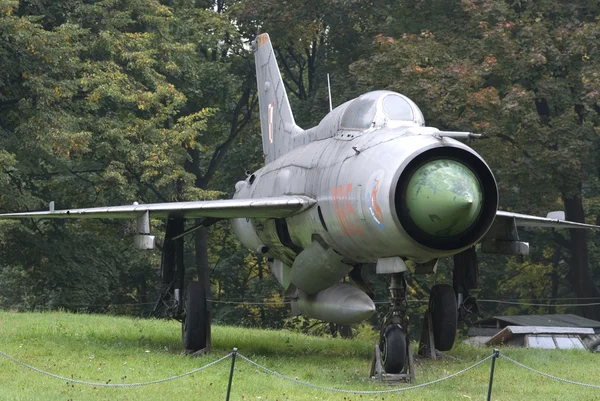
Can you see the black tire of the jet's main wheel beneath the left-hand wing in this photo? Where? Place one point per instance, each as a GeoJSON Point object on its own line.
{"type": "Point", "coordinates": [193, 327]}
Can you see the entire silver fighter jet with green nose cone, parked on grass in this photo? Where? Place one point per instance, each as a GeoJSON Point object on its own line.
{"type": "Point", "coordinates": [371, 184]}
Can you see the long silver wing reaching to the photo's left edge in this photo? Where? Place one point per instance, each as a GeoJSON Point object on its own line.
{"type": "Point", "coordinates": [272, 207]}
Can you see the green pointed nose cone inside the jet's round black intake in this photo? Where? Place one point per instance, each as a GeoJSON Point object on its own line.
{"type": "Point", "coordinates": [444, 197]}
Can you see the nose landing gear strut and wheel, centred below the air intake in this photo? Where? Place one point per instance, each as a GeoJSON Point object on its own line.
{"type": "Point", "coordinates": [392, 343]}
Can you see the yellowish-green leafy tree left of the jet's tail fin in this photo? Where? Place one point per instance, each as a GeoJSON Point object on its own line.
{"type": "Point", "coordinates": [89, 113]}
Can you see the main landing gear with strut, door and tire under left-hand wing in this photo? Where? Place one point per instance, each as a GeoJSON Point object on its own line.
{"type": "Point", "coordinates": [190, 308]}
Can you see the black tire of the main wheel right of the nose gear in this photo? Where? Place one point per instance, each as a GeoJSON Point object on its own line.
{"type": "Point", "coordinates": [444, 315]}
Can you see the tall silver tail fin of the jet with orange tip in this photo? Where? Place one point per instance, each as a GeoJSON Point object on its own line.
{"type": "Point", "coordinates": [276, 118]}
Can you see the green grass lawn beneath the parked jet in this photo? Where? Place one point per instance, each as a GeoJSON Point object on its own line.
{"type": "Point", "coordinates": [126, 350]}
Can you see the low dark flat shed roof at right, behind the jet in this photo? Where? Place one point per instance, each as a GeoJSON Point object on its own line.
{"type": "Point", "coordinates": [565, 320]}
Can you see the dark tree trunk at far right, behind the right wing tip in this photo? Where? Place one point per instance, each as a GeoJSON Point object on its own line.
{"type": "Point", "coordinates": [579, 274]}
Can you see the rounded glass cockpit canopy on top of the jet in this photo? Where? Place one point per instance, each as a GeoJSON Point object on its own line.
{"type": "Point", "coordinates": [380, 109]}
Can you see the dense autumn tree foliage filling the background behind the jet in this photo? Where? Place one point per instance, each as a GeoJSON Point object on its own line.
{"type": "Point", "coordinates": [111, 102]}
